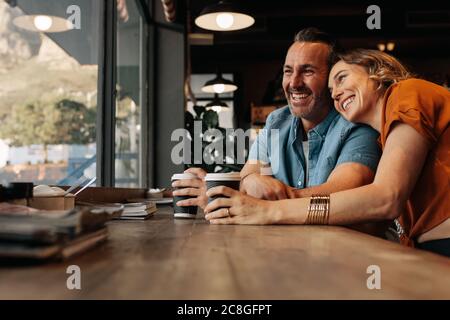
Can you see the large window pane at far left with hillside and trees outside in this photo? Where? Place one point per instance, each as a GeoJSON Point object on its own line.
{"type": "Point", "coordinates": [48, 90]}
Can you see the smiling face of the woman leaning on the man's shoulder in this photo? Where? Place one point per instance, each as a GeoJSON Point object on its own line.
{"type": "Point", "coordinates": [354, 94]}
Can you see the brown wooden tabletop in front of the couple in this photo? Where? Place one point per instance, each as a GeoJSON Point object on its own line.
{"type": "Point", "coordinates": [166, 258]}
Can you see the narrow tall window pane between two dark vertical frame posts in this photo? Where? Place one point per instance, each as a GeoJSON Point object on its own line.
{"type": "Point", "coordinates": [130, 50]}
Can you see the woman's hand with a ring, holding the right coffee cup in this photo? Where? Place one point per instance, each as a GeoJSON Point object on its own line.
{"type": "Point", "coordinates": [238, 208]}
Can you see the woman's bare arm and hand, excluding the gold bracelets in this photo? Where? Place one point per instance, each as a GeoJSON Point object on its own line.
{"type": "Point", "coordinates": [399, 168]}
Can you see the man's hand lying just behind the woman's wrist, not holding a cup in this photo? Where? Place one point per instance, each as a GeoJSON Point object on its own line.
{"type": "Point", "coordinates": [266, 187]}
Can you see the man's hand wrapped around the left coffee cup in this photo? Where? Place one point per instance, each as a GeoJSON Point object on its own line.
{"type": "Point", "coordinates": [195, 188]}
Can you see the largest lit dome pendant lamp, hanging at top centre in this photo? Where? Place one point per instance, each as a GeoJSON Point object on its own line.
{"type": "Point", "coordinates": [223, 16]}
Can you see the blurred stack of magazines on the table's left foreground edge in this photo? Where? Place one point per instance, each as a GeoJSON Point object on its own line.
{"type": "Point", "coordinates": [37, 234]}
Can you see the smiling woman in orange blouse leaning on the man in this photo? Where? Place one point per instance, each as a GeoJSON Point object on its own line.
{"type": "Point", "coordinates": [412, 182]}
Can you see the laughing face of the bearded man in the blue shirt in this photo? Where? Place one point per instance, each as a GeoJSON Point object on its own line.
{"type": "Point", "coordinates": [305, 76]}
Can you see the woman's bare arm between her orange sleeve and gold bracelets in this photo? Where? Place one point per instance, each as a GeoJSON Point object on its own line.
{"type": "Point", "coordinates": [399, 168]}
